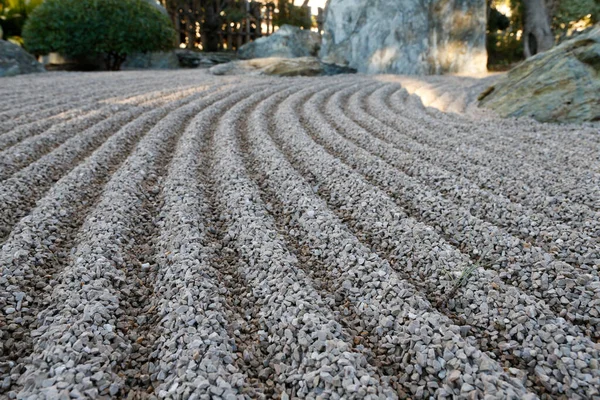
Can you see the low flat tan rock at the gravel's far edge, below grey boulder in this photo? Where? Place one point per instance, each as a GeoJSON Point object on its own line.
{"type": "Point", "coordinates": [302, 66]}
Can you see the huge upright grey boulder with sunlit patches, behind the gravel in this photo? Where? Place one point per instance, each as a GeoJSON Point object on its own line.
{"type": "Point", "coordinates": [411, 37]}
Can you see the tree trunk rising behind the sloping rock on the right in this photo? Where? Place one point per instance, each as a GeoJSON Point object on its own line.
{"type": "Point", "coordinates": [537, 34]}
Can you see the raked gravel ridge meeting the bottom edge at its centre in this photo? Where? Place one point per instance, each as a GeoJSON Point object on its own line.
{"type": "Point", "coordinates": [306, 352]}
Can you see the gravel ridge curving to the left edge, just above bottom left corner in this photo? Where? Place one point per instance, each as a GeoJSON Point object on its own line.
{"type": "Point", "coordinates": [39, 245]}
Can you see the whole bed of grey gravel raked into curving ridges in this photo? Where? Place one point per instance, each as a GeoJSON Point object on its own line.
{"type": "Point", "coordinates": [183, 236]}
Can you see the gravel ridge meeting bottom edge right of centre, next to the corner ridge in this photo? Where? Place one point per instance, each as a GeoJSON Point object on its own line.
{"type": "Point", "coordinates": [423, 348]}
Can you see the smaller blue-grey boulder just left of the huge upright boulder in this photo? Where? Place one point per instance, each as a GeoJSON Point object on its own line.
{"type": "Point", "coordinates": [288, 42]}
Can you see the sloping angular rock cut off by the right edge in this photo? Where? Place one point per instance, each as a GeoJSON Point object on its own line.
{"type": "Point", "coordinates": [559, 85]}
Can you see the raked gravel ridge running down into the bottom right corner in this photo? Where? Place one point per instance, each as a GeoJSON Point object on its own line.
{"type": "Point", "coordinates": [519, 314]}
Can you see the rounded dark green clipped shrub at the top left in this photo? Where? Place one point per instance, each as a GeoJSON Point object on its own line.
{"type": "Point", "coordinates": [108, 28]}
